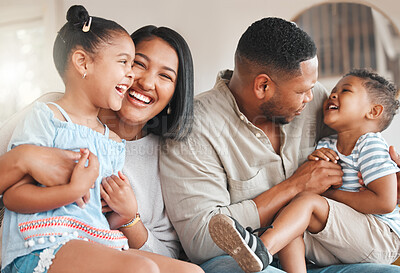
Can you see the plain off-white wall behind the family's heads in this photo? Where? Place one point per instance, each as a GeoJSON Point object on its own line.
{"type": "Point", "coordinates": [211, 27]}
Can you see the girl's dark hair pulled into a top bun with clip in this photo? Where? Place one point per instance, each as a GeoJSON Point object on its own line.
{"type": "Point", "coordinates": [71, 36]}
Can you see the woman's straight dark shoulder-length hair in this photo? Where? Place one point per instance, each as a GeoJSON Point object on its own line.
{"type": "Point", "coordinates": [178, 124]}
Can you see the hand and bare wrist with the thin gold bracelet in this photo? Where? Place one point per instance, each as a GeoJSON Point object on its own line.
{"type": "Point", "coordinates": [118, 195]}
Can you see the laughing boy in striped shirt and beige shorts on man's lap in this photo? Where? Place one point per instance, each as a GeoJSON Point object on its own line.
{"type": "Point", "coordinates": [351, 224]}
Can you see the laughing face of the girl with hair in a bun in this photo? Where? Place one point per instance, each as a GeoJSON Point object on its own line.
{"type": "Point", "coordinates": [111, 72]}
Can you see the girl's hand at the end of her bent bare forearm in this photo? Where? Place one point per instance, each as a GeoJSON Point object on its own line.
{"type": "Point", "coordinates": [83, 178]}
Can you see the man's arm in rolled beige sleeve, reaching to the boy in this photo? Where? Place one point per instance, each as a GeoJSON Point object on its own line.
{"type": "Point", "coordinates": [196, 187]}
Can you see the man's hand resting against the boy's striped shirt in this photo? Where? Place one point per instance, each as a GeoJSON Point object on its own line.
{"type": "Point", "coordinates": [318, 176]}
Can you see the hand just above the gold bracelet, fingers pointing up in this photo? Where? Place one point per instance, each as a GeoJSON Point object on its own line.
{"type": "Point", "coordinates": [118, 194]}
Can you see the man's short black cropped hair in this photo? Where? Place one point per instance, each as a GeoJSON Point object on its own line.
{"type": "Point", "coordinates": [276, 46]}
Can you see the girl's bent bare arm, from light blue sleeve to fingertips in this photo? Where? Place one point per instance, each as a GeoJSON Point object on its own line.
{"type": "Point", "coordinates": [26, 197]}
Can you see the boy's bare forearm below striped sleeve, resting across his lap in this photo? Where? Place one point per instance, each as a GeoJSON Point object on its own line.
{"type": "Point", "coordinates": [379, 197]}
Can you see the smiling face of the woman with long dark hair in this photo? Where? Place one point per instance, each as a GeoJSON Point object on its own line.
{"type": "Point", "coordinates": [156, 72]}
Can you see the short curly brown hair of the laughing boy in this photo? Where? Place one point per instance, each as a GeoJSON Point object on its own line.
{"type": "Point", "coordinates": [380, 91]}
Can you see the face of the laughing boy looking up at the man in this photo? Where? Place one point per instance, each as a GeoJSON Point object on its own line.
{"type": "Point", "coordinates": [347, 106]}
